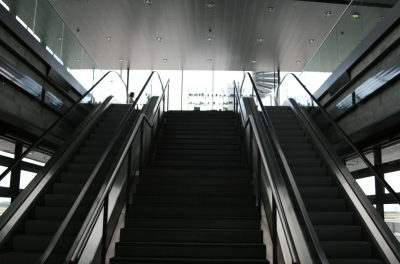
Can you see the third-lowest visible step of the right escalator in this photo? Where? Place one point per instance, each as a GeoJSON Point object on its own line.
{"type": "Point", "coordinates": [338, 233]}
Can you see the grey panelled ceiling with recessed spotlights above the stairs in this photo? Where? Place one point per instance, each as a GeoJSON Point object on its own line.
{"type": "Point", "coordinates": [184, 27]}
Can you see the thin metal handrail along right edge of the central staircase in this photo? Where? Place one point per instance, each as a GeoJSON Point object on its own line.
{"type": "Point", "coordinates": [281, 212]}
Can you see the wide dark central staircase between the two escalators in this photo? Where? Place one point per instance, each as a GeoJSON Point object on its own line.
{"type": "Point", "coordinates": [195, 202]}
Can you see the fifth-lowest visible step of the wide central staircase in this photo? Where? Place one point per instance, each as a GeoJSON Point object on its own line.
{"type": "Point", "coordinates": [193, 210]}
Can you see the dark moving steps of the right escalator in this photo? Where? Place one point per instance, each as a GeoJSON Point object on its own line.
{"type": "Point", "coordinates": [342, 237]}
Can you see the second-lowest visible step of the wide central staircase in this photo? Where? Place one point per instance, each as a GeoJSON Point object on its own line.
{"type": "Point", "coordinates": [190, 250]}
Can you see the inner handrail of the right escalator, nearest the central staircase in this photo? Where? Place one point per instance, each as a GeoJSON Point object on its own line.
{"type": "Point", "coordinates": [293, 185]}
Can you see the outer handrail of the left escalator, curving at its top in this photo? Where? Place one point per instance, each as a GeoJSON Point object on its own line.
{"type": "Point", "coordinates": [29, 149]}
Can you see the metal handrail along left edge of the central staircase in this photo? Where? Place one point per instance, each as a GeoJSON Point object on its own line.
{"type": "Point", "coordinates": [89, 223]}
